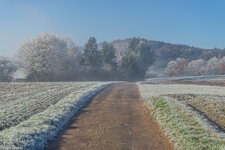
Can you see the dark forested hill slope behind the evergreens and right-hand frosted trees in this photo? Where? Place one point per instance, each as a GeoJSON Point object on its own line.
{"type": "Point", "coordinates": [165, 52]}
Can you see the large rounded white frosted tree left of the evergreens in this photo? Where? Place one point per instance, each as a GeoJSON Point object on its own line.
{"type": "Point", "coordinates": [47, 57]}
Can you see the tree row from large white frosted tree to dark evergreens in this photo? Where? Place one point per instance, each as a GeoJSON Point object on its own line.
{"type": "Point", "coordinates": [56, 58]}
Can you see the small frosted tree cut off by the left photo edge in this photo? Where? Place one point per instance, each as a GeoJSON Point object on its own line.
{"type": "Point", "coordinates": [7, 68]}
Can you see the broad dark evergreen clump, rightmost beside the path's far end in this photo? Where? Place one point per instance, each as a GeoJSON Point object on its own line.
{"type": "Point", "coordinates": [138, 57]}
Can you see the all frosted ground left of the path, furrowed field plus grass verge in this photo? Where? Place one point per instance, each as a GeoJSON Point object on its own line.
{"type": "Point", "coordinates": [33, 113]}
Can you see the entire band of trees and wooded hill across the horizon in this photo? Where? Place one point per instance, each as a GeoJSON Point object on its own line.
{"type": "Point", "coordinates": [48, 57]}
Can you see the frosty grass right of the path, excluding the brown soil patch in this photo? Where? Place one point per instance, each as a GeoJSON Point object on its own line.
{"type": "Point", "coordinates": [185, 128]}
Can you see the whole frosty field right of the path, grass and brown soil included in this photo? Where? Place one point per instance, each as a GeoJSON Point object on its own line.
{"type": "Point", "coordinates": [188, 127]}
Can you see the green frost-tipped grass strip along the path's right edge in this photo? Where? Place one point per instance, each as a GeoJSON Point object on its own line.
{"type": "Point", "coordinates": [185, 130]}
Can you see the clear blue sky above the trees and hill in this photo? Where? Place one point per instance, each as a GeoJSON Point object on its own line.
{"type": "Point", "coordinates": [198, 23]}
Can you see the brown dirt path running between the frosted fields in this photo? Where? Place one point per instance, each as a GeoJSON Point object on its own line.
{"type": "Point", "coordinates": [113, 120]}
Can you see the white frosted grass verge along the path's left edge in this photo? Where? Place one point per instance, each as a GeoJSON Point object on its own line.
{"type": "Point", "coordinates": [35, 132]}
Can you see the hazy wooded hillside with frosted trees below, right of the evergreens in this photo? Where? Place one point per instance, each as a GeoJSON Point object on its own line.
{"type": "Point", "coordinates": [179, 60]}
